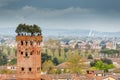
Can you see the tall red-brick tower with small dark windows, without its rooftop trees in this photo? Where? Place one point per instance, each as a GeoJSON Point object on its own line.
{"type": "Point", "coordinates": [28, 57]}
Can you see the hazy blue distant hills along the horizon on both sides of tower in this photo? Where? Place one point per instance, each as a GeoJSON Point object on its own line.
{"type": "Point", "coordinates": [65, 32]}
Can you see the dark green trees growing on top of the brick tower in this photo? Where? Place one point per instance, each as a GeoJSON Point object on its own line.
{"type": "Point", "coordinates": [28, 29]}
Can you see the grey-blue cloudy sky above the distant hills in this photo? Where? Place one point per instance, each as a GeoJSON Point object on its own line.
{"type": "Point", "coordinates": [100, 15]}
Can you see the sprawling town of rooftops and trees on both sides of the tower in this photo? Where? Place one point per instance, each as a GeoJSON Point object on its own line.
{"type": "Point", "coordinates": [92, 51]}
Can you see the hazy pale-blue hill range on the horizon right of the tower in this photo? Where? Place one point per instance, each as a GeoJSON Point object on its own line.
{"type": "Point", "coordinates": [90, 33]}
